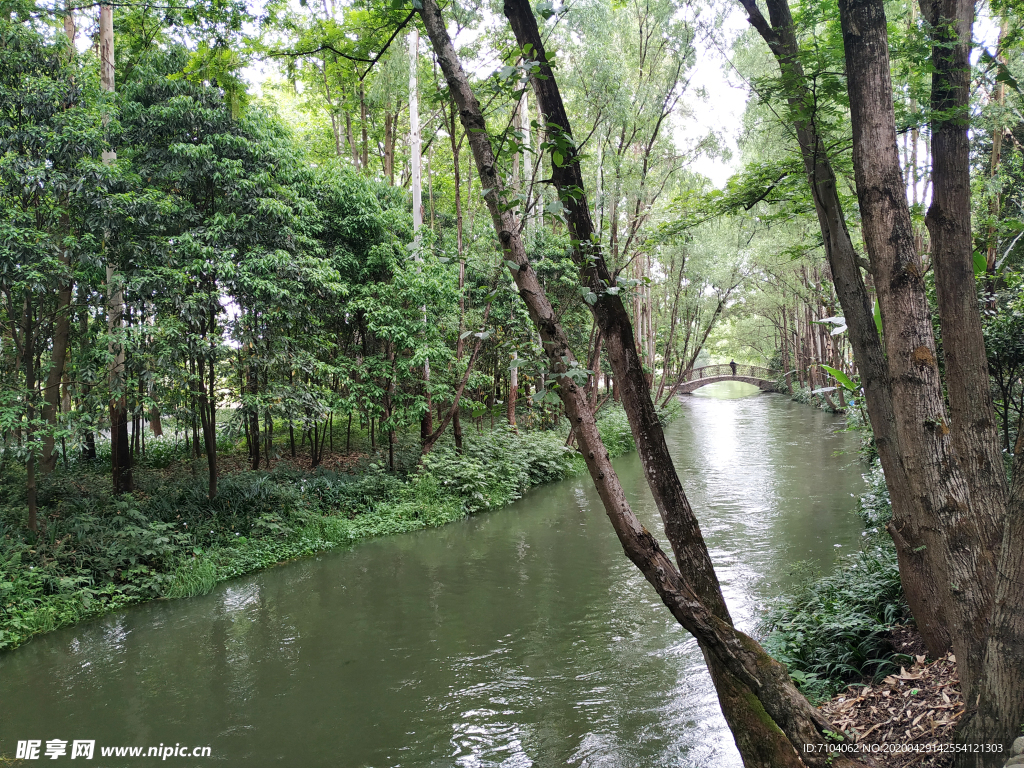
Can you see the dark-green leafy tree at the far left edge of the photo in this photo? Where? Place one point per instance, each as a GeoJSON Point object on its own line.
{"type": "Point", "coordinates": [50, 189]}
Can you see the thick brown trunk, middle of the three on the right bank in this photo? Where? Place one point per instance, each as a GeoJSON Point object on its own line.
{"type": "Point", "coordinates": [947, 465]}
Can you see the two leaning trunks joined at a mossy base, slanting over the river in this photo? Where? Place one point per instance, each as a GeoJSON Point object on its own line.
{"type": "Point", "coordinates": [769, 716]}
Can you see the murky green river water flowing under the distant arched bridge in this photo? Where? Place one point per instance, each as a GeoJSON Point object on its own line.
{"type": "Point", "coordinates": [517, 638]}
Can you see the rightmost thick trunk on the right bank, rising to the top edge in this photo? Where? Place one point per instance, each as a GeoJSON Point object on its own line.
{"type": "Point", "coordinates": [1001, 526]}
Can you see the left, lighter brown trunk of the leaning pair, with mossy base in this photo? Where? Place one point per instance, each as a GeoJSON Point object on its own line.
{"type": "Point", "coordinates": [762, 699]}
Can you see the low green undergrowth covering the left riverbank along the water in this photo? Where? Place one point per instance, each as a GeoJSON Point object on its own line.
{"type": "Point", "coordinates": [97, 553]}
